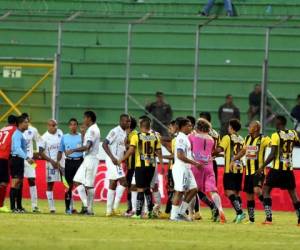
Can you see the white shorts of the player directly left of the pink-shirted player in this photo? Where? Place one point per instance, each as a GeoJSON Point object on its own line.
{"type": "Point", "coordinates": [184, 179]}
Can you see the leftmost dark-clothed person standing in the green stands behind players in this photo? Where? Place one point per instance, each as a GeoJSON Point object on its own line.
{"type": "Point", "coordinates": [162, 112]}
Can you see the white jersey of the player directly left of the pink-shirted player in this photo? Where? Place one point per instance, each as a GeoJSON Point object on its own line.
{"type": "Point", "coordinates": [182, 143]}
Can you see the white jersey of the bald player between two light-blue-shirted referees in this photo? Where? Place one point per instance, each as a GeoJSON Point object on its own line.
{"type": "Point", "coordinates": [51, 143]}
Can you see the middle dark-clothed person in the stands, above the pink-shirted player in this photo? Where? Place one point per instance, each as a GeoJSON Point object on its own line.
{"type": "Point", "coordinates": [227, 111]}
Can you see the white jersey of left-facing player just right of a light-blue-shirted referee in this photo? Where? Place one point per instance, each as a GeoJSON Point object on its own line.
{"type": "Point", "coordinates": [93, 135]}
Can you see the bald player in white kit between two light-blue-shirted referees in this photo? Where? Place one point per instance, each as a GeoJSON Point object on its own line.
{"type": "Point", "coordinates": [48, 148]}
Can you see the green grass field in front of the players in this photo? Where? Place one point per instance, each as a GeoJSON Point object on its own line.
{"type": "Point", "coordinates": [59, 231]}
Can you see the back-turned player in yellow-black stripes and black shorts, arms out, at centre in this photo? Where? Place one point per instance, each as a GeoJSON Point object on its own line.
{"type": "Point", "coordinates": [145, 145]}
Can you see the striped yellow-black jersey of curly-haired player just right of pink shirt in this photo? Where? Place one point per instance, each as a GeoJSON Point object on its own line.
{"type": "Point", "coordinates": [232, 145]}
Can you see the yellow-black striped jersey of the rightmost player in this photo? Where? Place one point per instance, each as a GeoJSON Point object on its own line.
{"type": "Point", "coordinates": [285, 141]}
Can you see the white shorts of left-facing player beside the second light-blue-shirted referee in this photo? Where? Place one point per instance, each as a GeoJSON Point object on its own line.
{"type": "Point", "coordinates": [86, 174]}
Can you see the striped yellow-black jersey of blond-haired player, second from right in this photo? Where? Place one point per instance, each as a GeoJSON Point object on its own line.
{"type": "Point", "coordinates": [255, 152]}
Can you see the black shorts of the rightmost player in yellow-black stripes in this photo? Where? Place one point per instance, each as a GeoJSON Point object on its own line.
{"type": "Point", "coordinates": [281, 179]}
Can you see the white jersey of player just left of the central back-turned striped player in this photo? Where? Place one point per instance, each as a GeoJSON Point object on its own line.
{"type": "Point", "coordinates": [116, 142]}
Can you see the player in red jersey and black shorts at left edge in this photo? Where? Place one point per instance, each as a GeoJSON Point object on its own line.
{"type": "Point", "coordinates": [6, 134]}
